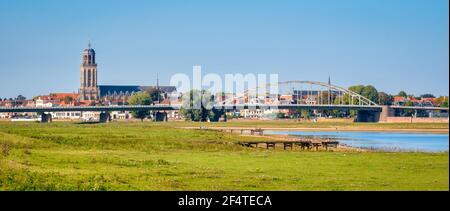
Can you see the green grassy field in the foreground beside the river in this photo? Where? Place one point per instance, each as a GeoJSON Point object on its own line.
{"type": "Point", "coordinates": [162, 156]}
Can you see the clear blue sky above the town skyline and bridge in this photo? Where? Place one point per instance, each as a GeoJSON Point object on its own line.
{"type": "Point", "coordinates": [391, 44]}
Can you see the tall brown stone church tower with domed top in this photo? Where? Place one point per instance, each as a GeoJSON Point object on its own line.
{"type": "Point", "coordinates": [88, 75]}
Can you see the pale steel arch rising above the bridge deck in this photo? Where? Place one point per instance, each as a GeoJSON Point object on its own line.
{"type": "Point", "coordinates": [309, 93]}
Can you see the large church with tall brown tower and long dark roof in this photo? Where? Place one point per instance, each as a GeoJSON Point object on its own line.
{"type": "Point", "coordinates": [91, 91]}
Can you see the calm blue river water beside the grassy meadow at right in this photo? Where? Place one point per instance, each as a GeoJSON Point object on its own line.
{"type": "Point", "coordinates": [386, 141]}
